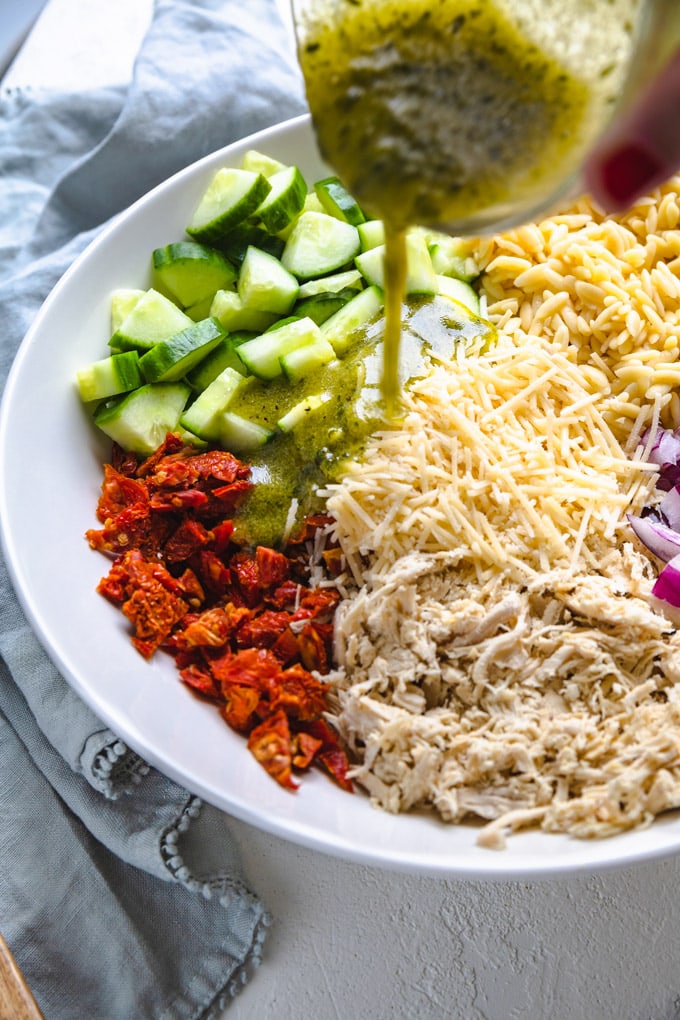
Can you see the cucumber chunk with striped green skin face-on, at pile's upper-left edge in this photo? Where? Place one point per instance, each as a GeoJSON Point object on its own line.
{"type": "Point", "coordinates": [191, 273]}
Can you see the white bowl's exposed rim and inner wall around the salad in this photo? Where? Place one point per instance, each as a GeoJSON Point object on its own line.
{"type": "Point", "coordinates": [49, 447]}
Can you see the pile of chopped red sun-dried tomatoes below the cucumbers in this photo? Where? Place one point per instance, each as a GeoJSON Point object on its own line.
{"type": "Point", "coordinates": [244, 628]}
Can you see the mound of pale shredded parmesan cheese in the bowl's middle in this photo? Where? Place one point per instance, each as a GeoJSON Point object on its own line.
{"type": "Point", "coordinates": [508, 457]}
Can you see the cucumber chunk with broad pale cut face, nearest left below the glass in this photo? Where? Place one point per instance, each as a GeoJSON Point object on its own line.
{"type": "Point", "coordinates": [320, 244]}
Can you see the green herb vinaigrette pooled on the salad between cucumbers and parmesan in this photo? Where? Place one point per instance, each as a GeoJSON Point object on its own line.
{"type": "Point", "coordinates": [291, 467]}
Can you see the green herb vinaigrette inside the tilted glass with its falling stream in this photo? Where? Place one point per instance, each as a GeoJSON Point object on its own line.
{"type": "Point", "coordinates": [431, 112]}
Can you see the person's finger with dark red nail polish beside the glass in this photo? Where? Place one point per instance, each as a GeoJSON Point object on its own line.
{"type": "Point", "coordinates": [643, 149]}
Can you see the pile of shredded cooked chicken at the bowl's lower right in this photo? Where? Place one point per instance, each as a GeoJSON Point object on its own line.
{"type": "Point", "coordinates": [554, 705]}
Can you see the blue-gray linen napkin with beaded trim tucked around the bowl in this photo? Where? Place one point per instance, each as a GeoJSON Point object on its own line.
{"type": "Point", "coordinates": [121, 894]}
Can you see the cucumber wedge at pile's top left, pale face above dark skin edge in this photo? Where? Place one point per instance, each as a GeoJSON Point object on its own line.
{"type": "Point", "coordinates": [232, 197]}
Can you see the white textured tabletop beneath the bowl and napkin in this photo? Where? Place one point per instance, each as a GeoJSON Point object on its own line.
{"type": "Point", "coordinates": [352, 943]}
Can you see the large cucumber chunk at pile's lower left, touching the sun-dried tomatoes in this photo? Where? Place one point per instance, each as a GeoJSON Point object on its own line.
{"type": "Point", "coordinates": [140, 421]}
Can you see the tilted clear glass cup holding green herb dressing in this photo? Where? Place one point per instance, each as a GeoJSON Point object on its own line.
{"type": "Point", "coordinates": [472, 116]}
